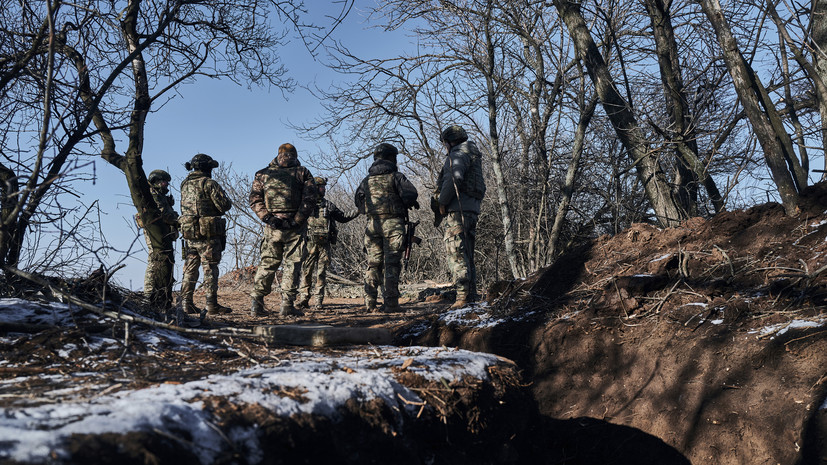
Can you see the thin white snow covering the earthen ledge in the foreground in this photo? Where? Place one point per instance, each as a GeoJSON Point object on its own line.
{"type": "Point", "coordinates": [316, 383]}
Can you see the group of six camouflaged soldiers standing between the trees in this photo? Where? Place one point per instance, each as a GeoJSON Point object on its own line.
{"type": "Point", "coordinates": [299, 228]}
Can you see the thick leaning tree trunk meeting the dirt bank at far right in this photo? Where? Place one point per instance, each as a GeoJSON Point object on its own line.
{"type": "Point", "coordinates": [750, 93]}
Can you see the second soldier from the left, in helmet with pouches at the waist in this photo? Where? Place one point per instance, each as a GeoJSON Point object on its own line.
{"type": "Point", "coordinates": [203, 204]}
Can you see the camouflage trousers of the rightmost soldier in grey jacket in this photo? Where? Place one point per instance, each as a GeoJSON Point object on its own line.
{"type": "Point", "coordinates": [460, 238]}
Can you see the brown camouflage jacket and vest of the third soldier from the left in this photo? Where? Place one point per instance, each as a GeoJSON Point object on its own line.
{"type": "Point", "coordinates": [284, 191]}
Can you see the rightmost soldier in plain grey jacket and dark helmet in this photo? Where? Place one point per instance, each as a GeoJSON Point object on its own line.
{"type": "Point", "coordinates": [459, 193]}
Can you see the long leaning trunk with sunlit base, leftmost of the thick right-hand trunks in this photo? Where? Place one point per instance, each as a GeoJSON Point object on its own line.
{"type": "Point", "coordinates": [657, 189]}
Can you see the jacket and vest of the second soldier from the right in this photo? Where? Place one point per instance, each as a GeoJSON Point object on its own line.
{"type": "Point", "coordinates": [385, 191]}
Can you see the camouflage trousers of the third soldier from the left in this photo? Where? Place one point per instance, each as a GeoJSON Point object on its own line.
{"type": "Point", "coordinates": [280, 247]}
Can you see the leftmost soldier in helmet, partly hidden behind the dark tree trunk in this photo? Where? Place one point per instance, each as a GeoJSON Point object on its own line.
{"type": "Point", "coordinates": [161, 261]}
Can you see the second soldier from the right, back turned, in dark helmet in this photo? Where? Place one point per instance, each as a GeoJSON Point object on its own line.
{"type": "Point", "coordinates": [385, 196]}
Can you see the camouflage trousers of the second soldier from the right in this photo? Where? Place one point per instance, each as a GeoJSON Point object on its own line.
{"type": "Point", "coordinates": [384, 239]}
